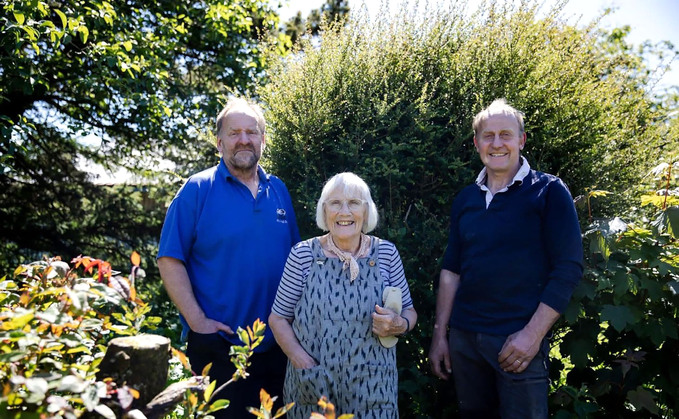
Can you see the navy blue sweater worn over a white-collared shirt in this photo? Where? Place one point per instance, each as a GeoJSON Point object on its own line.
{"type": "Point", "coordinates": [524, 249]}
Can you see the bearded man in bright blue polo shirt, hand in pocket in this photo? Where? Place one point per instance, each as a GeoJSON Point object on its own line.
{"type": "Point", "coordinates": [226, 237]}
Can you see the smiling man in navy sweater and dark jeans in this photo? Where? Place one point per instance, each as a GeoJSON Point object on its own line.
{"type": "Point", "coordinates": [514, 256]}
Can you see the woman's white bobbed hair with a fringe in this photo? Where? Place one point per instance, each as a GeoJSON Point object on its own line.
{"type": "Point", "coordinates": [351, 186]}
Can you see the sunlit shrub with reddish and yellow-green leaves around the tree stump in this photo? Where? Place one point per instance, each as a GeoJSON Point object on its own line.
{"type": "Point", "coordinates": [54, 329]}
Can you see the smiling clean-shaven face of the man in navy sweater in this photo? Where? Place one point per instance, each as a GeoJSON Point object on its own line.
{"type": "Point", "coordinates": [499, 143]}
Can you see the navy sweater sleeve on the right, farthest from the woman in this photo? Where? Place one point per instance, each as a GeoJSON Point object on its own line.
{"type": "Point", "coordinates": [563, 243]}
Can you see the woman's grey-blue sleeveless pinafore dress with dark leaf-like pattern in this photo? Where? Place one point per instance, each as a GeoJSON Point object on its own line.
{"type": "Point", "coordinates": [333, 324]}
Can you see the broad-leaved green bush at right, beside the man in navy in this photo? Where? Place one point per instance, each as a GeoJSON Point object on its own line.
{"type": "Point", "coordinates": [616, 350]}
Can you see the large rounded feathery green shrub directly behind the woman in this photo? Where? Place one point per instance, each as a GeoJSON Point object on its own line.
{"type": "Point", "coordinates": [392, 99]}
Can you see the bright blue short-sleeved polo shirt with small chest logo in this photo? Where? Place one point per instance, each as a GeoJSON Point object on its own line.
{"type": "Point", "coordinates": [234, 246]}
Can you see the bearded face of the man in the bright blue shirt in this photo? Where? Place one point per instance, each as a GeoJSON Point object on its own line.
{"type": "Point", "coordinates": [240, 140]}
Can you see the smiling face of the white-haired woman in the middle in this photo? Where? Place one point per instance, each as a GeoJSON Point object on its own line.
{"type": "Point", "coordinates": [344, 215]}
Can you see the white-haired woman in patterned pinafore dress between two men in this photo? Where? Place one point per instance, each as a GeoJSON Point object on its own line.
{"type": "Point", "coordinates": [342, 302]}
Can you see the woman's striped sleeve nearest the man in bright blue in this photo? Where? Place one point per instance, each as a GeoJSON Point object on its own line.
{"type": "Point", "coordinates": [294, 278]}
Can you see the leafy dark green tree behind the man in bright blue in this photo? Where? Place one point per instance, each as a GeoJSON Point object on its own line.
{"type": "Point", "coordinates": [144, 78]}
